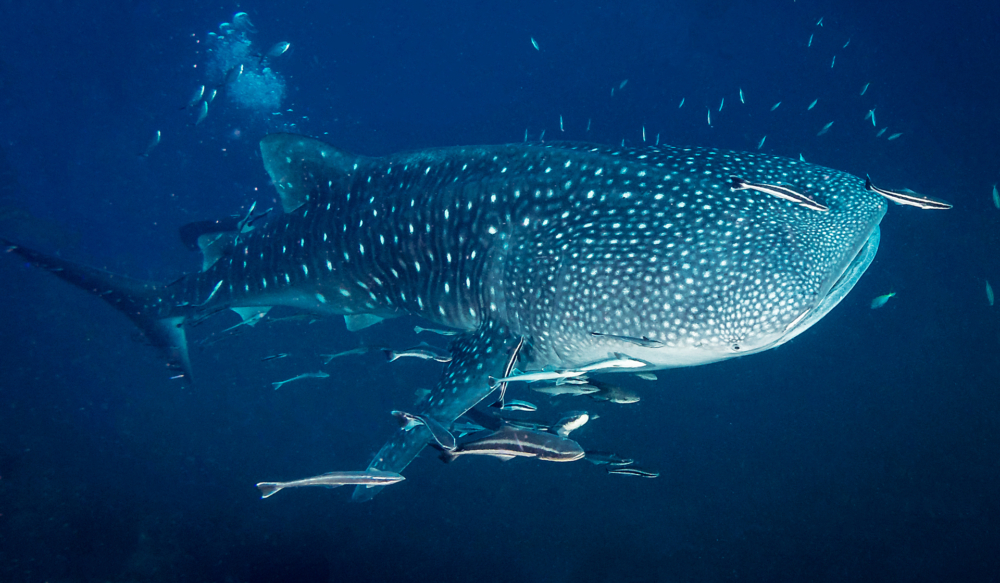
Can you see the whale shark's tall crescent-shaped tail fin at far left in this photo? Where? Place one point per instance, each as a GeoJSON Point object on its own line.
{"type": "Point", "coordinates": [141, 301]}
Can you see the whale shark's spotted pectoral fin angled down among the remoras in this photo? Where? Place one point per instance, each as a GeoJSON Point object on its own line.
{"type": "Point", "coordinates": [464, 383]}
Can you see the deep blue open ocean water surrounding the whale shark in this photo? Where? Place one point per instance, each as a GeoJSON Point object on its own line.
{"type": "Point", "coordinates": [867, 448]}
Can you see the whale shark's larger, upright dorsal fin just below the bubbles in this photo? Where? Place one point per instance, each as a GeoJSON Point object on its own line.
{"type": "Point", "coordinates": [304, 170]}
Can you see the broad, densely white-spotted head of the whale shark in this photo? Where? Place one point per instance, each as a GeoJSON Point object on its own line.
{"type": "Point", "coordinates": [679, 268]}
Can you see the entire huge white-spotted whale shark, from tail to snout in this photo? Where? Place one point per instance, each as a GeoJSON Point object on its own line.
{"type": "Point", "coordinates": [534, 244]}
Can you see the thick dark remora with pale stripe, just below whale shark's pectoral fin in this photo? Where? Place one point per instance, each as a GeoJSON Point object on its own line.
{"type": "Point", "coordinates": [510, 442]}
